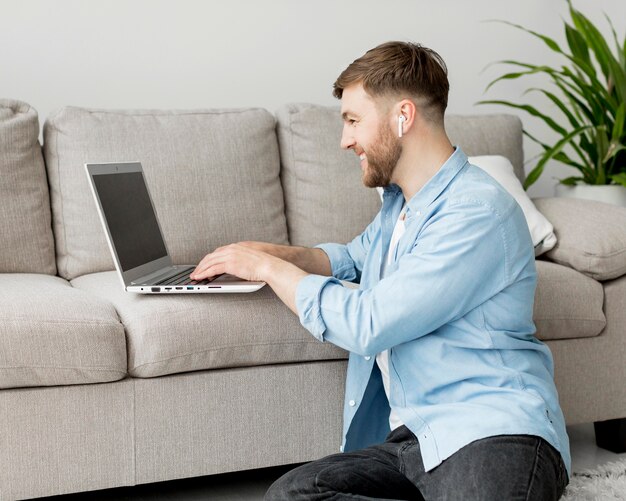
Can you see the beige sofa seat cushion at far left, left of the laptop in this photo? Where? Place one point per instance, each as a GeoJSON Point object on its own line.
{"type": "Point", "coordinates": [52, 334]}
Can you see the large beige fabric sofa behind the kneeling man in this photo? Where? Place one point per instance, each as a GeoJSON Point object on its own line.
{"type": "Point", "coordinates": [101, 388]}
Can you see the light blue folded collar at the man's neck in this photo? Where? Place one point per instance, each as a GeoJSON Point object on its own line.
{"type": "Point", "coordinates": [435, 185]}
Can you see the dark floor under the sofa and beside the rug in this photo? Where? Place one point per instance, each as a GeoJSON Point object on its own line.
{"type": "Point", "coordinates": [251, 485]}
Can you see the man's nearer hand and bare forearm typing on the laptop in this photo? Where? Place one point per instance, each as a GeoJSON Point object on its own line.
{"type": "Point", "coordinates": [249, 263]}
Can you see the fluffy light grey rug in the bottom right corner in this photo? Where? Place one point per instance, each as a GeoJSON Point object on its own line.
{"type": "Point", "coordinates": [605, 483]}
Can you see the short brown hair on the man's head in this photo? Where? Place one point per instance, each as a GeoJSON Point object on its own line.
{"type": "Point", "coordinates": [397, 68]}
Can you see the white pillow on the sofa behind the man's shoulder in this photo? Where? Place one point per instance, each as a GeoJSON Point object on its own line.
{"type": "Point", "coordinates": [501, 169]}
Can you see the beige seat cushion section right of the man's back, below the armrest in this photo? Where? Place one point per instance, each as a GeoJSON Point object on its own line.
{"type": "Point", "coordinates": [568, 304]}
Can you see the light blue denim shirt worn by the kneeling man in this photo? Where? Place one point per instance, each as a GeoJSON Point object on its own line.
{"type": "Point", "coordinates": [454, 309]}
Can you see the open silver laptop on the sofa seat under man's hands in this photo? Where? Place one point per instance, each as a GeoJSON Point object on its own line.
{"type": "Point", "coordinates": [135, 238]}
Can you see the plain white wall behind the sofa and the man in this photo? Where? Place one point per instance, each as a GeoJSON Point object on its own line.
{"type": "Point", "coordinates": [236, 53]}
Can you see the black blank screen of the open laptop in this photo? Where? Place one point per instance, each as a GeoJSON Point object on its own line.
{"type": "Point", "coordinates": [130, 217]}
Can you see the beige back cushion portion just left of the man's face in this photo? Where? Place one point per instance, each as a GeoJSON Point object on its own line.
{"type": "Point", "coordinates": [325, 199]}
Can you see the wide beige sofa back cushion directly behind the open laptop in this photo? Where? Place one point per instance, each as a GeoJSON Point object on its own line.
{"type": "Point", "coordinates": [213, 176]}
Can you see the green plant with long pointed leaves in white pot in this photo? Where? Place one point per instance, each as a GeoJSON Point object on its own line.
{"type": "Point", "coordinates": [589, 91]}
